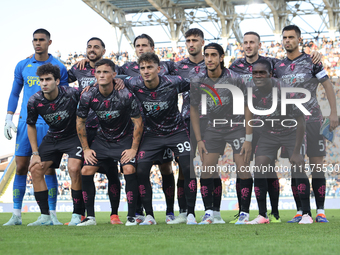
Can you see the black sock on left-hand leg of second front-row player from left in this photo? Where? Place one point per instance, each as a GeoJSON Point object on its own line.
{"type": "Point", "coordinates": [89, 192]}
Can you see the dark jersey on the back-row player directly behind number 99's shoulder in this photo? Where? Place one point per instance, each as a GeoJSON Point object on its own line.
{"type": "Point", "coordinates": [183, 69]}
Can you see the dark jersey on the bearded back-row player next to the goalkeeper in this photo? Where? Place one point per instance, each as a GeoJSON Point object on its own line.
{"type": "Point", "coordinates": [85, 77]}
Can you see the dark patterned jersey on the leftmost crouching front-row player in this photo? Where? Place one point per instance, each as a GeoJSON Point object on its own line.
{"type": "Point", "coordinates": [59, 114]}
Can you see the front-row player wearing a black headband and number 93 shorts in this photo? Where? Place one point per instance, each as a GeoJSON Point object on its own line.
{"type": "Point", "coordinates": [216, 137]}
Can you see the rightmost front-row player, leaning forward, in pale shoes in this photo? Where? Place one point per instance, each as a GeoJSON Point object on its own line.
{"type": "Point", "coordinates": [274, 135]}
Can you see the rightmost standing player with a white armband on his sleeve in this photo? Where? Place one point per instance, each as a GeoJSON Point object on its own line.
{"type": "Point", "coordinates": [298, 70]}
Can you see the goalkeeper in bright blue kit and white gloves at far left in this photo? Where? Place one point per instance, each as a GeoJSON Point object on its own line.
{"type": "Point", "coordinates": [25, 78]}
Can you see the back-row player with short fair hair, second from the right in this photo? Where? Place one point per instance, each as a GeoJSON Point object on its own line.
{"type": "Point", "coordinates": [243, 66]}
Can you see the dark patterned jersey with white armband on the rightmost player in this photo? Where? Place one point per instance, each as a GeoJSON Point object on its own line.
{"type": "Point", "coordinates": [302, 73]}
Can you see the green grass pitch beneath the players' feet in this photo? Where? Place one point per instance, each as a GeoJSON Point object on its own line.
{"type": "Point", "coordinates": [284, 238]}
